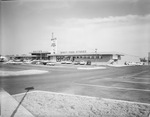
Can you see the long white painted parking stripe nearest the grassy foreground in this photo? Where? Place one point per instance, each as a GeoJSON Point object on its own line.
{"type": "Point", "coordinates": [120, 88]}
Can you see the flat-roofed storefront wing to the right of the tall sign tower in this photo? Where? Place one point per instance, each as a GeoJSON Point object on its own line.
{"type": "Point", "coordinates": [101, 58]}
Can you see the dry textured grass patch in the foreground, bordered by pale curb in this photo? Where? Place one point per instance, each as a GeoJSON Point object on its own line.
{"type": "Point", "coordinates": [48, 104]}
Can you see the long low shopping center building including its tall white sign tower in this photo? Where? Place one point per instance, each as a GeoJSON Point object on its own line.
{"type": "Point", "coordinates": [100, 58]}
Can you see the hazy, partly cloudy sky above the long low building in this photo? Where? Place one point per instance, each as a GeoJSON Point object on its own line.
{"type": "Point", "coordinates": [106, 25]}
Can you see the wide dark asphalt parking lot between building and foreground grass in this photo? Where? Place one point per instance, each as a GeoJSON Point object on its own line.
{"type": "Point", "coordinates": [130, 83]}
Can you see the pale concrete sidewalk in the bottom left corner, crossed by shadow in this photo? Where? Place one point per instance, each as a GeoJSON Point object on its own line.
{"type": "Point", "coordinates": [11, 108]}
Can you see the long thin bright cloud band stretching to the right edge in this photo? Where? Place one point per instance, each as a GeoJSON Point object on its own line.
{"type": "Point", "coordinates": [111, 19]}
